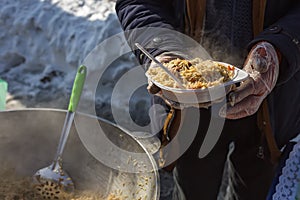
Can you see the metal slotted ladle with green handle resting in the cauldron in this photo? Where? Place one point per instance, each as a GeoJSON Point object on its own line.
{"type": "Point", "coordinates": [53, 182]}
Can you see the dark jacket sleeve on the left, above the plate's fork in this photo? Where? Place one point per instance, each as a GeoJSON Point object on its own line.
{"type": "Point", "coordinates": [152, 23]}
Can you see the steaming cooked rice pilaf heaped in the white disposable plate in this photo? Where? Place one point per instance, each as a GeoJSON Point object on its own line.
{"type": "Point", "coordinates": [195, 74]}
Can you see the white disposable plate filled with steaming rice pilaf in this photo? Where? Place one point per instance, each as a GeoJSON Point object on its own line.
{"type": "Point", "coordinates": [203, 81]}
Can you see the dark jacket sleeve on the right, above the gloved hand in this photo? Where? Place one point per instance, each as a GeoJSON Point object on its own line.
{"type": "Point", "coordinates": [285, 36]}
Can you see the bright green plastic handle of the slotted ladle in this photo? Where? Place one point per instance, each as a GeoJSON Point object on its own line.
{"type": "Point", "coordinates": [77, 88]}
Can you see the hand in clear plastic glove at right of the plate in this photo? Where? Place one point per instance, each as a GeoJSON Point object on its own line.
{"type": "Point", "coordinates": [262, 64]}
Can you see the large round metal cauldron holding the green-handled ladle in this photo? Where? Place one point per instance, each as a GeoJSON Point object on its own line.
{"type": "Point", "coordinates": [28, 141]}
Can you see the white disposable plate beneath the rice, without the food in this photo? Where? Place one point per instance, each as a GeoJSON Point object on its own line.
{"type": "Point", "coordinates": [202, 95]}
